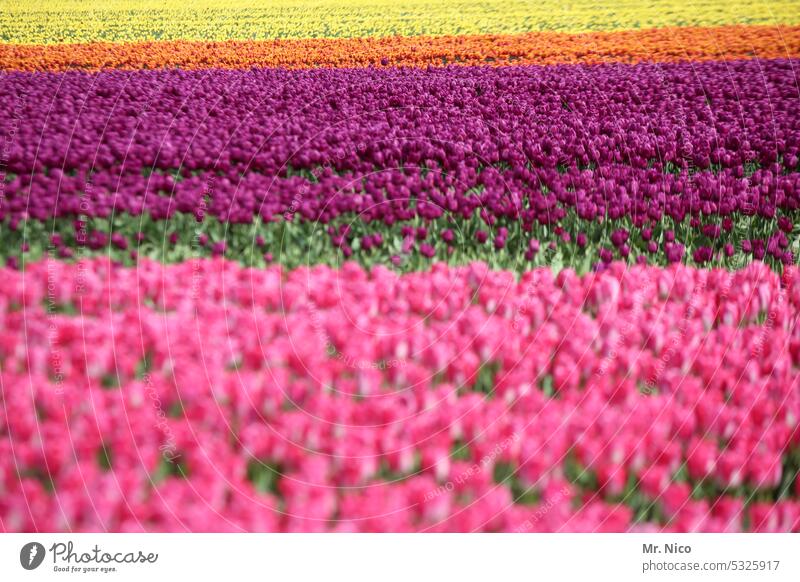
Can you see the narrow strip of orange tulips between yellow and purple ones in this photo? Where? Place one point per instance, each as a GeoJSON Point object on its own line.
{"type": "Point", "coordinates": [655, 45]}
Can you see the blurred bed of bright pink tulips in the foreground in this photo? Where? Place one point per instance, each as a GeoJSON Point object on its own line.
{"type": "Point", "coordinates": [205, 396]}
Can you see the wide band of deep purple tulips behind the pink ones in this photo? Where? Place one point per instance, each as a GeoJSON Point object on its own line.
{"type": "Point", "coordinates": [537, 154]}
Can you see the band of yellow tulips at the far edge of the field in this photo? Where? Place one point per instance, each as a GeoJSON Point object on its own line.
{"type": "Point", "coordinates": [73, 21]}
